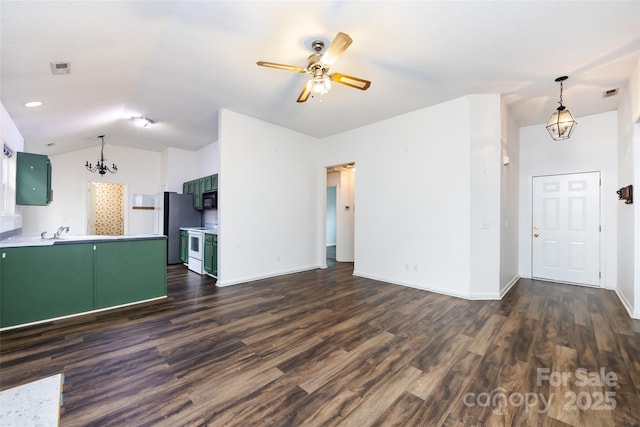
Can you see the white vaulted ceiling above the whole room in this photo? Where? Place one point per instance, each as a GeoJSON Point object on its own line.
{"type": "Point", "coordinates": [179, 62]}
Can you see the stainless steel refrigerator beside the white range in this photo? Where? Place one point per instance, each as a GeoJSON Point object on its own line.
{"type": "Point", "coordinates": [175, 210]}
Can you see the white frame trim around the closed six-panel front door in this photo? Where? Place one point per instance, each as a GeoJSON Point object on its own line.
{"type": "Point", "coordinates": [601, 236]}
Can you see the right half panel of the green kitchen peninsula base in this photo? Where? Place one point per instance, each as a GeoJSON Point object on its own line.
{"type": "Point", "coordinates": [130, 271]}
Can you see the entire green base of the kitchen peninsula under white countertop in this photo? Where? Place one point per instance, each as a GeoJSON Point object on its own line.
{"type": "Point", "coordinates": [65, 278]}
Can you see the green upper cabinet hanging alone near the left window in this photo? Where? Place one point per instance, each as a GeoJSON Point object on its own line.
{"type": "Point", "coordinates": [33, 179]}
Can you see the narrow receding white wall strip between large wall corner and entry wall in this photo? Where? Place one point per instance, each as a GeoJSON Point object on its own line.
{"type": "Point", "coordinates": [509, 202]}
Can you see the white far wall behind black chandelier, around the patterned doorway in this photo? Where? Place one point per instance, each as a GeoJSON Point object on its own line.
{"type": "Point", "coordinates": [138, 170]}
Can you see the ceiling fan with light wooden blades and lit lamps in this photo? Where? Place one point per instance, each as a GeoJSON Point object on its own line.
{"type": "Point", "coordinates": [318, 64]}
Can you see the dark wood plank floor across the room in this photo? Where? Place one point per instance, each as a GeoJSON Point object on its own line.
{"type": "Point", "coordinates": [326, 348]}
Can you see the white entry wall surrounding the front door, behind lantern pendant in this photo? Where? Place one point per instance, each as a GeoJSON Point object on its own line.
{"type": "Point", "coordinates": [592, 147]}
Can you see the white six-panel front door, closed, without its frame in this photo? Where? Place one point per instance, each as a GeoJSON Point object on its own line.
{"type": "Point", "coordinates": [566, 228]}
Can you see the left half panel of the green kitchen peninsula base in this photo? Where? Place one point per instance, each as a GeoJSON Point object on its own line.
{"type": "Point", "coordinates": [44, 282]}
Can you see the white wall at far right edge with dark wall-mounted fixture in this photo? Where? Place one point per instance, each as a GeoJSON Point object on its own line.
{"type": "Point", "coordinates": [628, 215]}
